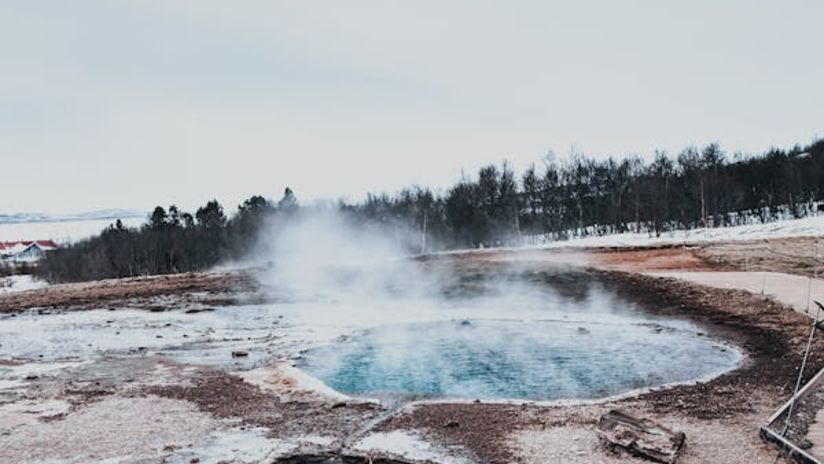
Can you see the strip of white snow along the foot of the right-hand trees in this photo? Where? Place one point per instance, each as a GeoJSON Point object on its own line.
{"type": "Point", "coordinates": [809, 226]}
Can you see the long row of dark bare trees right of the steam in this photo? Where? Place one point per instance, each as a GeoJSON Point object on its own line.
{"type": "Point", "coordinates": [582, 196]}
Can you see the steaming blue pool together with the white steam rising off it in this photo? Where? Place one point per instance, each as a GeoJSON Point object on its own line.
{"type": "Point", "coordinates": [503, 337]}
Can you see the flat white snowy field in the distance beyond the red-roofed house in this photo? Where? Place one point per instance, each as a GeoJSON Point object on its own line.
{"type": "Point", "coordinates": [60, 231]}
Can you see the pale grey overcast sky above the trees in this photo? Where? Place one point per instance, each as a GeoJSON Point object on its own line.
{"type": "Point", "coordinates": [128, 104]}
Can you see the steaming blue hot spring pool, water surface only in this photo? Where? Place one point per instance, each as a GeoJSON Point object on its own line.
{"type": "Point", "coordinates": [519, 359]}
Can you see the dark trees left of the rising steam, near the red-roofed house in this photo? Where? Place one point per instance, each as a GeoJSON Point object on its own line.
{"type": "Point", "coordinates": [171, 241]}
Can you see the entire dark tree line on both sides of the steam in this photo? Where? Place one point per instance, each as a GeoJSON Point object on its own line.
{"type": "Point", "coordinates": [560, 199]}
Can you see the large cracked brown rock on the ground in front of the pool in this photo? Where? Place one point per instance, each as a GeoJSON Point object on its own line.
{"type": "Point", "coordinates": [641, 437]}
